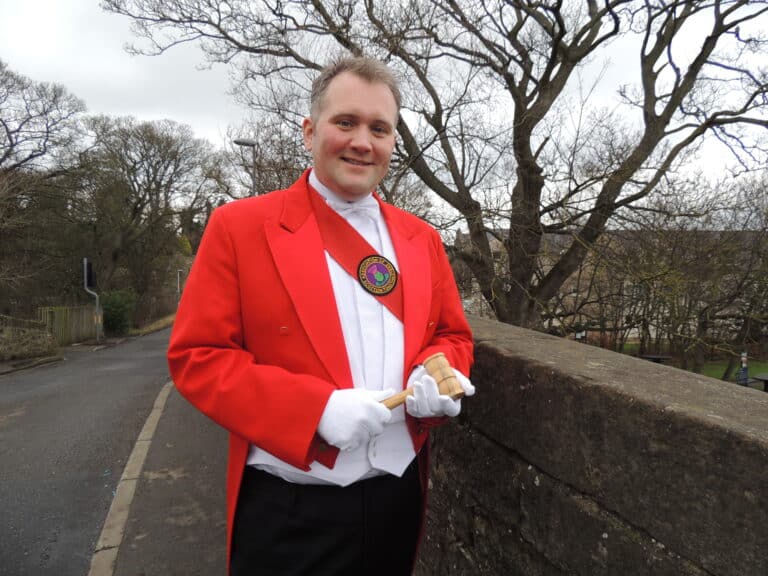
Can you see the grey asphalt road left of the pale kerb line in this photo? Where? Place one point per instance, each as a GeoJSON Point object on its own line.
{"type": "Point", "coordinates": [66, 431]}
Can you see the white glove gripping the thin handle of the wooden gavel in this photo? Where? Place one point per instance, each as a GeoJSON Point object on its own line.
{"type": "Point", "coordinates": [352, 416]}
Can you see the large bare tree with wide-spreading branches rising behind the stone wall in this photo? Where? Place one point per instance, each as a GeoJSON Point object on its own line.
{"type": "Point", "coordinates": [487, 84]}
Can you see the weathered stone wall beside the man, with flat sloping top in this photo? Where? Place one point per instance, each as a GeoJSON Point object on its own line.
{"type": "Point", "coordinates": [575, 460]}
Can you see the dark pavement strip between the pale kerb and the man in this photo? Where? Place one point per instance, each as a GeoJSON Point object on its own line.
{"type": "Point", "coordinates": [176, 523]}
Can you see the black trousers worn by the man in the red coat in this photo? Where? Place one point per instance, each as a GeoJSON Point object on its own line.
{"type": "Point", "coordinates": [369, 528]}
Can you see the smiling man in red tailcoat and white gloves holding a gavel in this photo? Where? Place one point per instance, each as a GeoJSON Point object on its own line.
{"type": "Point", "coordinates": [304, 309]}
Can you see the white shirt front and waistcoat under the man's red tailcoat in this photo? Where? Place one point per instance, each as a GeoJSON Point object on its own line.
{"type": "Point", "coordinates": [374, 340]}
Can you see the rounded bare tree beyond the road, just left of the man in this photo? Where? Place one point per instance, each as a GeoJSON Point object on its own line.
{"type": "Point", "coordinates": [133, 185]}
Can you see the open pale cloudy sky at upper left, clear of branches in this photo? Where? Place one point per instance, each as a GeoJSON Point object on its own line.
{"type": "Point", "coordinates": [76, 44]}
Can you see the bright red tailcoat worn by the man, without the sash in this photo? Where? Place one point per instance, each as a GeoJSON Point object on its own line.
{"type": "Point", "coordinates": [257, 343]}
